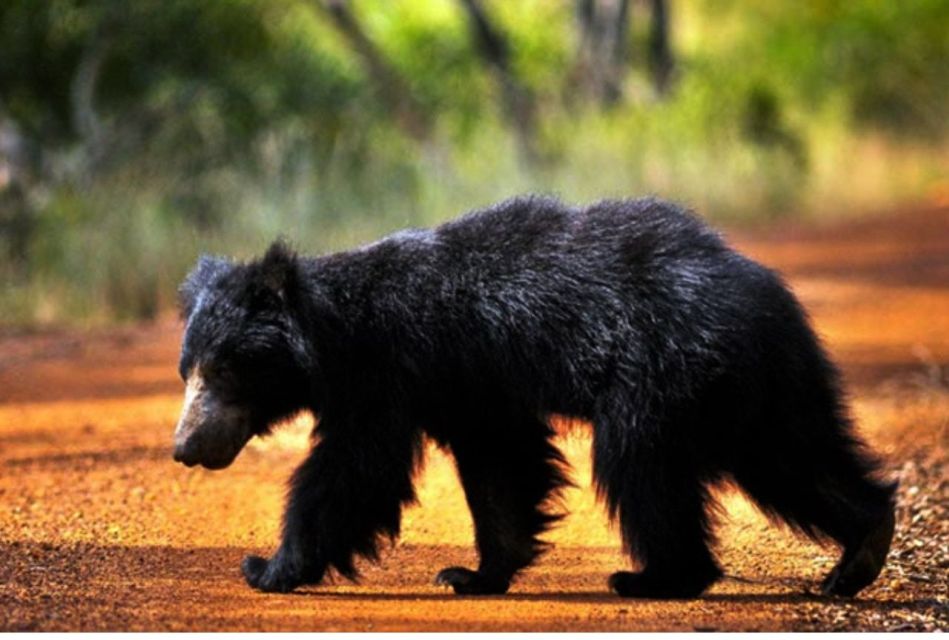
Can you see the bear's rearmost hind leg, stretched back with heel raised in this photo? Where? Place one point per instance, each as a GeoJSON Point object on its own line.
{"type": "Point", "coordinates": [800, 460]}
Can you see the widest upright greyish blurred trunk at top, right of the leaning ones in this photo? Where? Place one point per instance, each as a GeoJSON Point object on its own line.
{"type": "Point", "coordinates": [602, 50]}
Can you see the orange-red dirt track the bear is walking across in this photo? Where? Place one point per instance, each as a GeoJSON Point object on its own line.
{"type": "Point", "coordinates": [100, 530]}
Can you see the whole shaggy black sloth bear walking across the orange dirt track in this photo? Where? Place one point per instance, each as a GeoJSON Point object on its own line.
{"type": "Point", "coordinates": [693, 364]}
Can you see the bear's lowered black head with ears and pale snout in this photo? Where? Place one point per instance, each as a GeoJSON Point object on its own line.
{"type": "Point", "coordinates": [244, 358]}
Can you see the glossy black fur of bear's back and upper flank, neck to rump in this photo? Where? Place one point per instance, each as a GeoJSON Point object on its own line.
{"type": "Point", "coordinates": [555, 299]}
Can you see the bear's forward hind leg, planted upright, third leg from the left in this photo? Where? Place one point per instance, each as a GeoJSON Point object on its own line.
{"type": "Point", "coordinates": [658, 498]}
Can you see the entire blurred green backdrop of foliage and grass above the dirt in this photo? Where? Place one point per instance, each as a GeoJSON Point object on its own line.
{"type": "Point", "coordinates": [225, 123]}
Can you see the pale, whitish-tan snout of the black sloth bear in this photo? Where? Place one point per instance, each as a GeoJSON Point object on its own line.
{"type": "Point", "coordinates": [209, 432]}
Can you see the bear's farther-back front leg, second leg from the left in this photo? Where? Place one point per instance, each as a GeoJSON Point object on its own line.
{"type": "Point", "coordinates": [509, 469]}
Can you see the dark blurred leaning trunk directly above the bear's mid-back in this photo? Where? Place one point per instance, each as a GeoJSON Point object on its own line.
{"type": "Point", "coordinates": [518, 103]}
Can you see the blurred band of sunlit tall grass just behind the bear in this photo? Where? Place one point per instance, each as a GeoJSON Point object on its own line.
{"type": "Point", "coordinates": [126, 259]}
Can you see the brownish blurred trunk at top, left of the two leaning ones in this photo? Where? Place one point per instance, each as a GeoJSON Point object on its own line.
{"type": "Point", "coordinates": [392, 88]}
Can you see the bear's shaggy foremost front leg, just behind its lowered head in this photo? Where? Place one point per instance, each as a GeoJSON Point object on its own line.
{"type": "Point", "coordinates": [344, 496]}
